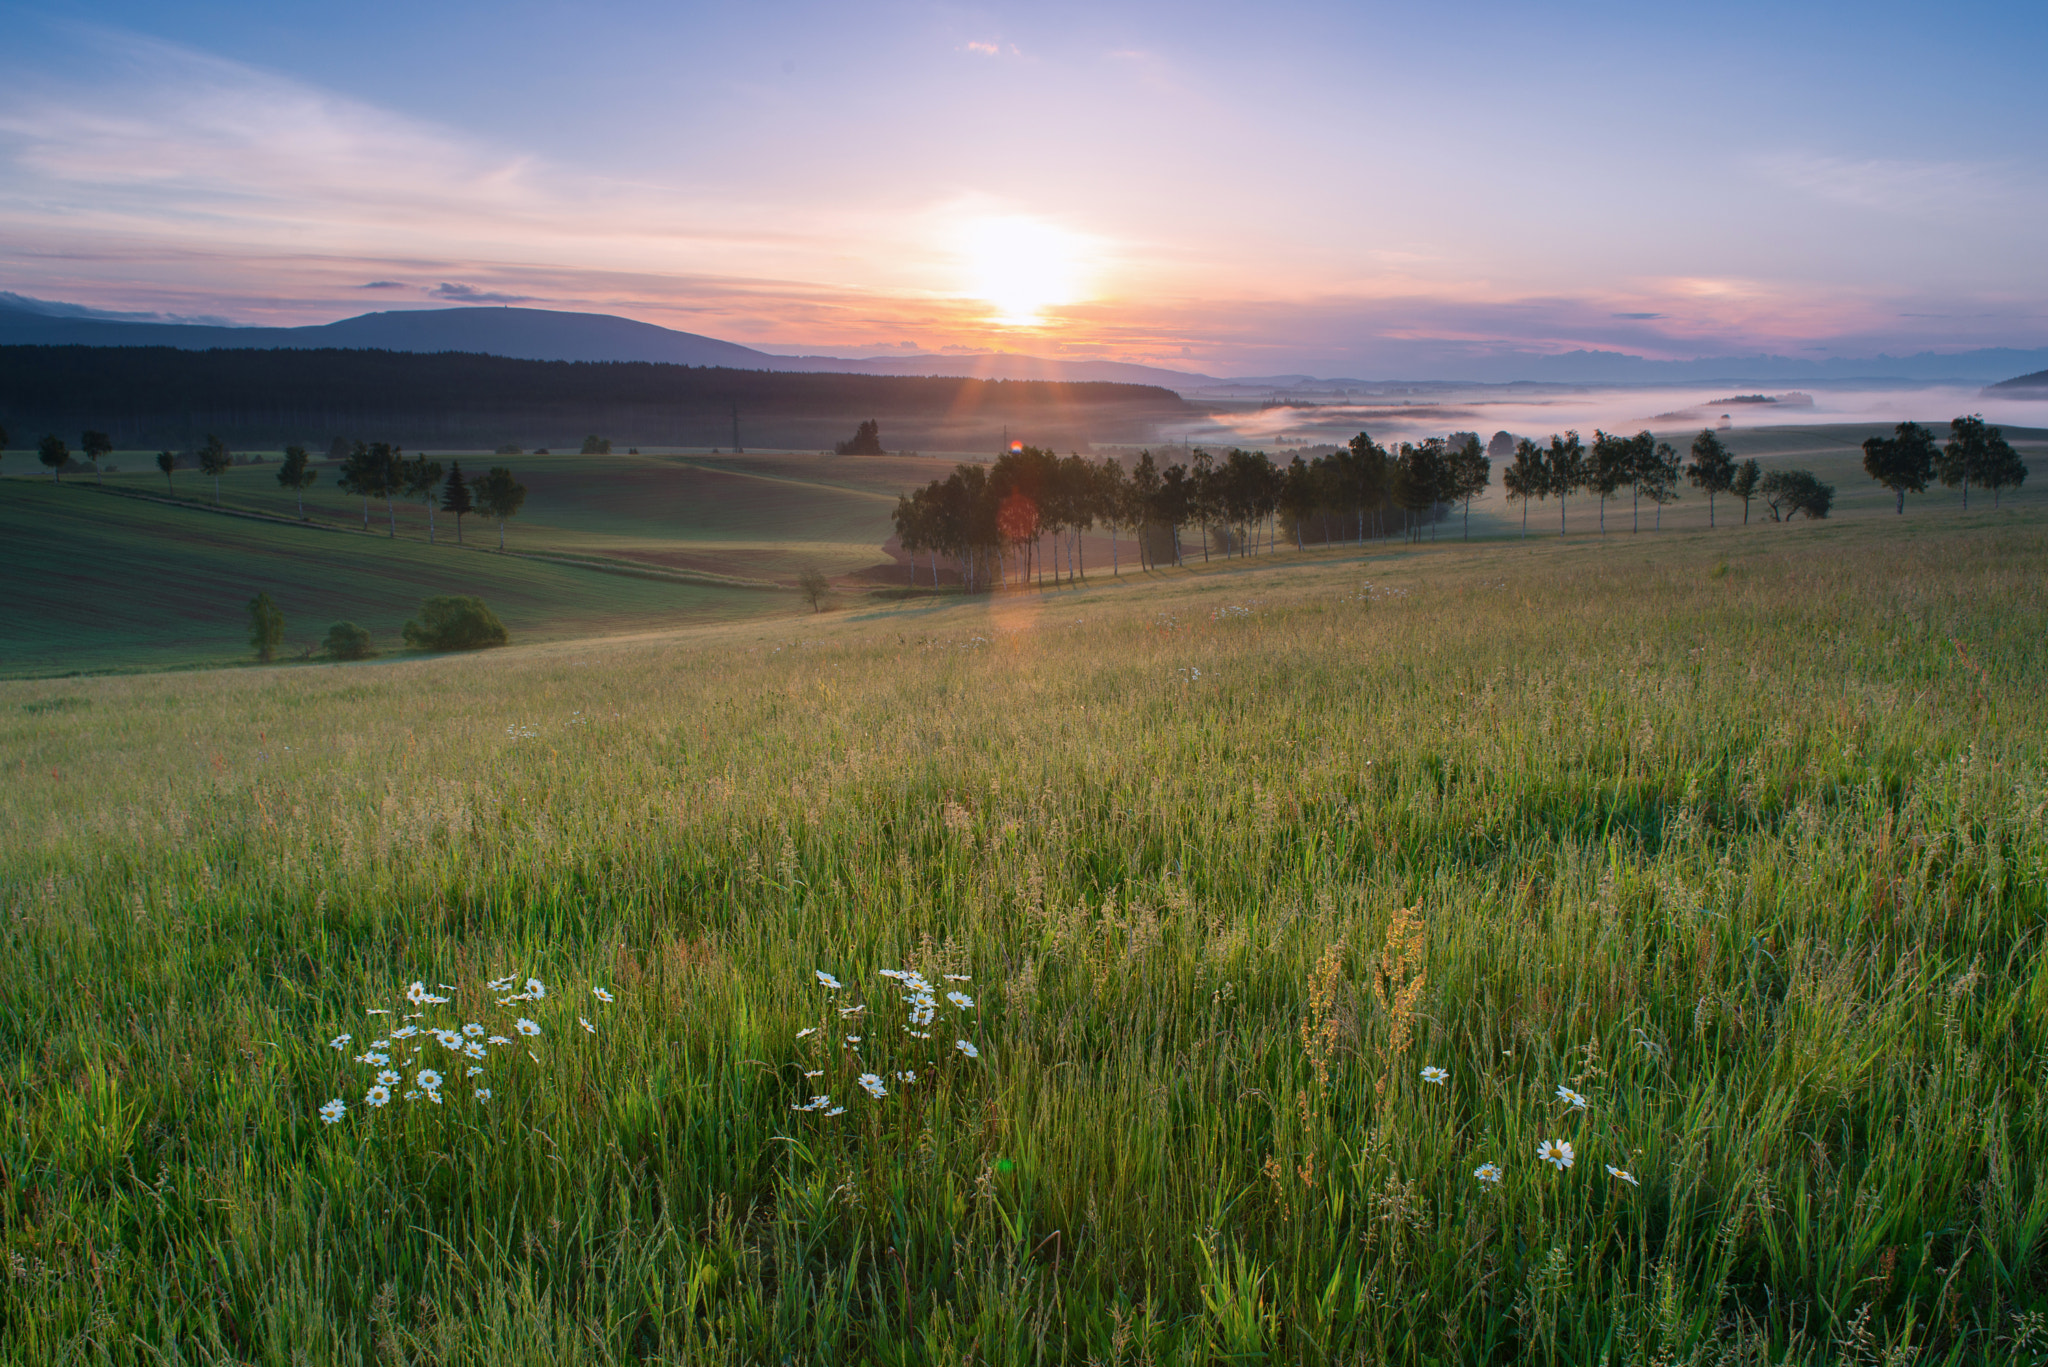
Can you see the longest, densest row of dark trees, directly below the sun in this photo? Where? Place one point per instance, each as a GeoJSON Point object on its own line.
{"type": "Point", "coordinates": [1009, 520]}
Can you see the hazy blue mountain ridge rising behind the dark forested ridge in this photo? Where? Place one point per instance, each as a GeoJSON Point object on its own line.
{"type": "Point", "coordinates": [527, 335]}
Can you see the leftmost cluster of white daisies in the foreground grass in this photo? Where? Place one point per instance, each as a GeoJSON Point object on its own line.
{"type": "Point", "coordinates": [429, 1057]}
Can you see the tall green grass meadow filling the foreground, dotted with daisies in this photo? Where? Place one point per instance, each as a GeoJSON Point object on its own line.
{"type": "Point", "coordinates": [1717, 858]}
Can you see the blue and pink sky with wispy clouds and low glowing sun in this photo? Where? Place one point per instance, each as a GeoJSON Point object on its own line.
{"type": "Point", "coordinates": [1332, 190]}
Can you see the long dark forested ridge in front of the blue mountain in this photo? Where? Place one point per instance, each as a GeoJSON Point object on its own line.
{"type": "Point", "coordinates": [163, 397]}
